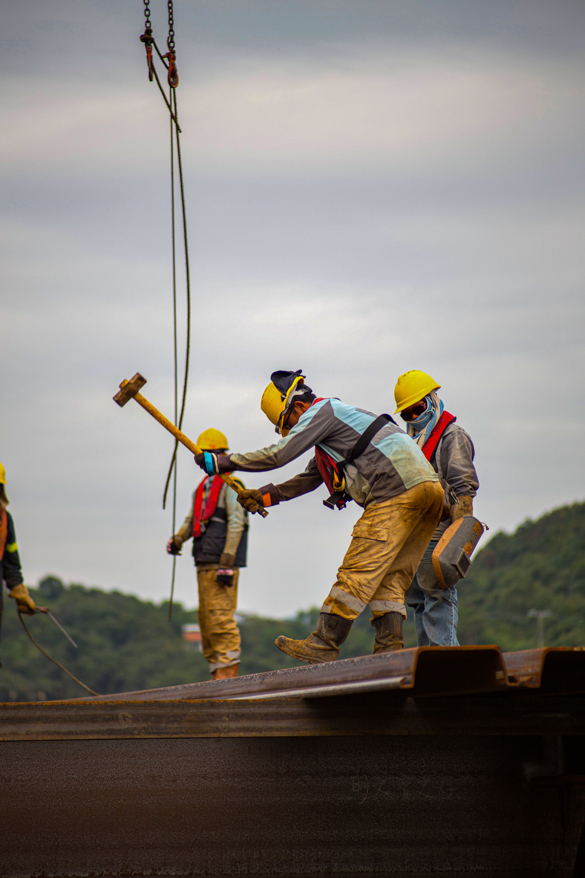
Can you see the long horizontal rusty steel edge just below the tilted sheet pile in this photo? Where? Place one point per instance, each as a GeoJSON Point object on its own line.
{"type": "Point", "coordinates": [508, 713]}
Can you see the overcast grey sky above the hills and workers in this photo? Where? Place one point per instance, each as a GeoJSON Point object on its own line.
{"type": "Point", "coordinates": [372, 186]}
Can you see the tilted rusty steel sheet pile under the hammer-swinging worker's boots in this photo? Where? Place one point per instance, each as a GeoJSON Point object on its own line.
{"type": "Point", "coordinates": [422, 671]}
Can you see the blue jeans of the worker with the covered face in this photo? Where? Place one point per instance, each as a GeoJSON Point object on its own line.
{"type": "Point", "coordinates": [435, 608]}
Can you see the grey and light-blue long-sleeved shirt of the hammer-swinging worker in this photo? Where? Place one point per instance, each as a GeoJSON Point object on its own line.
{"type": "Point", "coordinates": [391, 464]}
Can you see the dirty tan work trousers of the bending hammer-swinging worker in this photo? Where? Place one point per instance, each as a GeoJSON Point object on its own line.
{"type": "Point", "coordinates": [387, 545]}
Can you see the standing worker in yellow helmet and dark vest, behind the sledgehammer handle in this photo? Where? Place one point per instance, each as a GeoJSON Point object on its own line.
{"type": "Point", "coordinates": [219, 527]}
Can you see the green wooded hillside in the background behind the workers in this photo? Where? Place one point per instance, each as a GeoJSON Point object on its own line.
{"type": "Point", "coordinates": [126, 643]}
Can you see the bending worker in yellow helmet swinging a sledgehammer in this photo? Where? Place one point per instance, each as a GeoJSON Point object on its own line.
{"type": "Point", "coordinates": [388, 475]}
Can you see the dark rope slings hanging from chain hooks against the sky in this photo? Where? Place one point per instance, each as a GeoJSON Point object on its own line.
{"type": "Point", "coordinates": [169, 62]}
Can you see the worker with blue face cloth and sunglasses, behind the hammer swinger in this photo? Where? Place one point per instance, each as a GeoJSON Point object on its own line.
{"type": "Point", "coordinates": [450, 451]}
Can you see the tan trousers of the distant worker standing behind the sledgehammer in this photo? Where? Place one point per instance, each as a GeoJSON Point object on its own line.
{"type": "Point", "coordinates": [220, 635]}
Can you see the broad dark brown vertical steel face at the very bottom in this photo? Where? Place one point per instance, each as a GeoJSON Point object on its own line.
{"type": "Point", "coordinates": [400, 806]}
